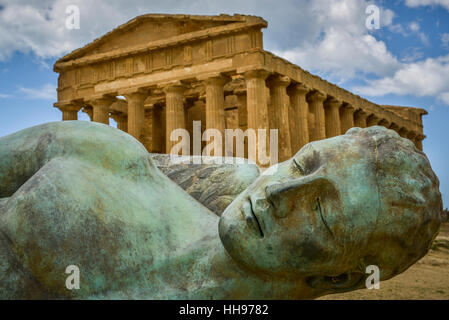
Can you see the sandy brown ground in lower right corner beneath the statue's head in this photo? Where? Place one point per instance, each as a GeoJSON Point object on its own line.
{"type": "Point", "coordinates": [426, 279]}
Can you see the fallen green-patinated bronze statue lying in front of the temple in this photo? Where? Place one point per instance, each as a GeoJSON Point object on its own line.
{"type": "Point", "coordinates": [88, 195]}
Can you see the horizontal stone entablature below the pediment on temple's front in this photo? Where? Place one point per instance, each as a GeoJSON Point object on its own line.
{"type": "Point", "coordinates": [79, 74]}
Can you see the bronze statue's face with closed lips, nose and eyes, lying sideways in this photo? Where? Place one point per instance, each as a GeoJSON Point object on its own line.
{"type": "Point", "coordinates": [306, 215]}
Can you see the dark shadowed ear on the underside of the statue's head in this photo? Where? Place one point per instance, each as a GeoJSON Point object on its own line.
{"type": "Point", "coordinates": [342, 283]}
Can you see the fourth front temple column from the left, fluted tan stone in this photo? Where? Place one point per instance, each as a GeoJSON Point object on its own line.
{"type": "Point", "coordinates": [174, 112]}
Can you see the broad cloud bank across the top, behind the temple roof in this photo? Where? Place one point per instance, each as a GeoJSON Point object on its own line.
{"type": "Point", "coordinates": [297, 28]}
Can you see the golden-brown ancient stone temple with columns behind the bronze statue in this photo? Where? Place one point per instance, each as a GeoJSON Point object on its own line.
{"type": "Point", "coordinates": [160, 72]}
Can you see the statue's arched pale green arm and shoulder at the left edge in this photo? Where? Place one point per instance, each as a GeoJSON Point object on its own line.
{"type": "Point", "coordinates": [24, 153]}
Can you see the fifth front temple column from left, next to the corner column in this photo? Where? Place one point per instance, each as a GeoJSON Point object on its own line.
{"type": "Point", "coordinates": [215, 113]}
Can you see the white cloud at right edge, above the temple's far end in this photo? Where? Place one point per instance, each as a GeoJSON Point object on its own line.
{"type": "Point", "coordinates": [428, 78]}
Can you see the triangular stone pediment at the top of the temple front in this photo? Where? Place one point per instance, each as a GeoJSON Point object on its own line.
{"type": "Point", "coordinates": [159, 29]}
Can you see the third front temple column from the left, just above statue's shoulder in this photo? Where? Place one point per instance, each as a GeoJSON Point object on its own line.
{"type": "Point", "coordinates": [136, 113]}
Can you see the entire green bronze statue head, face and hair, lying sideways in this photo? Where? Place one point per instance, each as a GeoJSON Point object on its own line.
{"type": "Point", "coordinates": [368, 197]}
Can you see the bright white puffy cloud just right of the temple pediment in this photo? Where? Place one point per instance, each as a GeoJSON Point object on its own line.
{"type": "Point", "coordinates": [345, 47]}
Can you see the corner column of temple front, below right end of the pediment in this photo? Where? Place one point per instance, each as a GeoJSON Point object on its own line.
{"type": "Point", "coordinates": [256, 94]}
